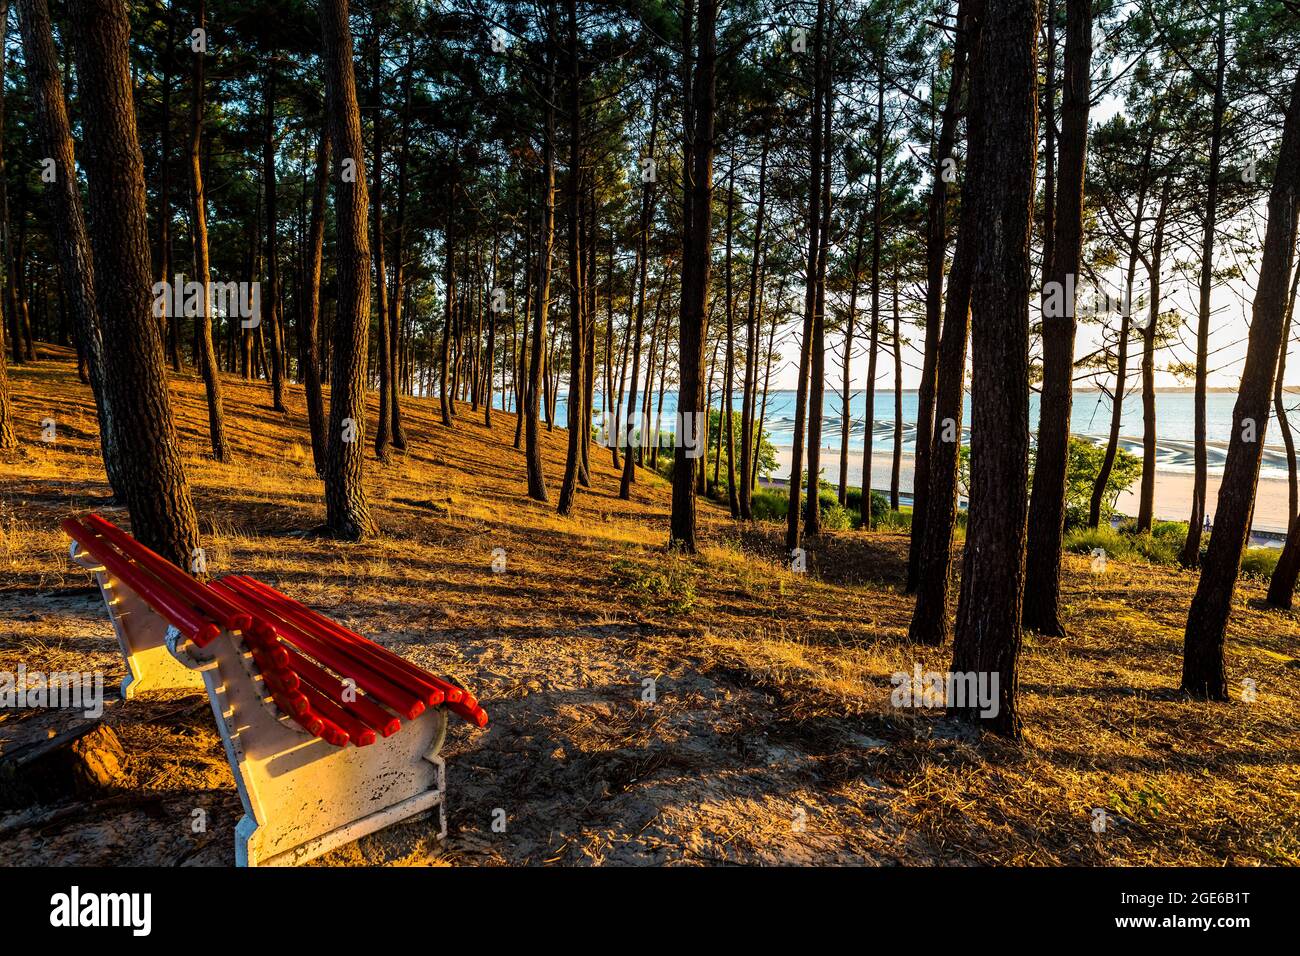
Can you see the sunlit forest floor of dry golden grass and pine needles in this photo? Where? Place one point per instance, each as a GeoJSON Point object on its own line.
{"type": "Point", "coordinates": [772, 738]}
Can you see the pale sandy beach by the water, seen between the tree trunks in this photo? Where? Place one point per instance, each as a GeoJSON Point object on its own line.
{"type": "Point", "coordinates": [1173, 488]}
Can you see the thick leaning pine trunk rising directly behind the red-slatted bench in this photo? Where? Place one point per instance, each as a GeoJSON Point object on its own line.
{"type": "Point", "coordinates": [138, 409]}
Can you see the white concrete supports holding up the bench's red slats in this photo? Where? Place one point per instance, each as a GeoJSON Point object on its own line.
{"type": "Point", "coordinates": [301, 795]}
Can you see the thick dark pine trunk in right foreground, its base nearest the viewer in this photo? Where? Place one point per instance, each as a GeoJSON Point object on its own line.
{"type": "Point", "coordinates": [1004, 141]}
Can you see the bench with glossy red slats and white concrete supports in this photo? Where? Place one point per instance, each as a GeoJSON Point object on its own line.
{"type": "Point", "coordinates": [330, 736]}
